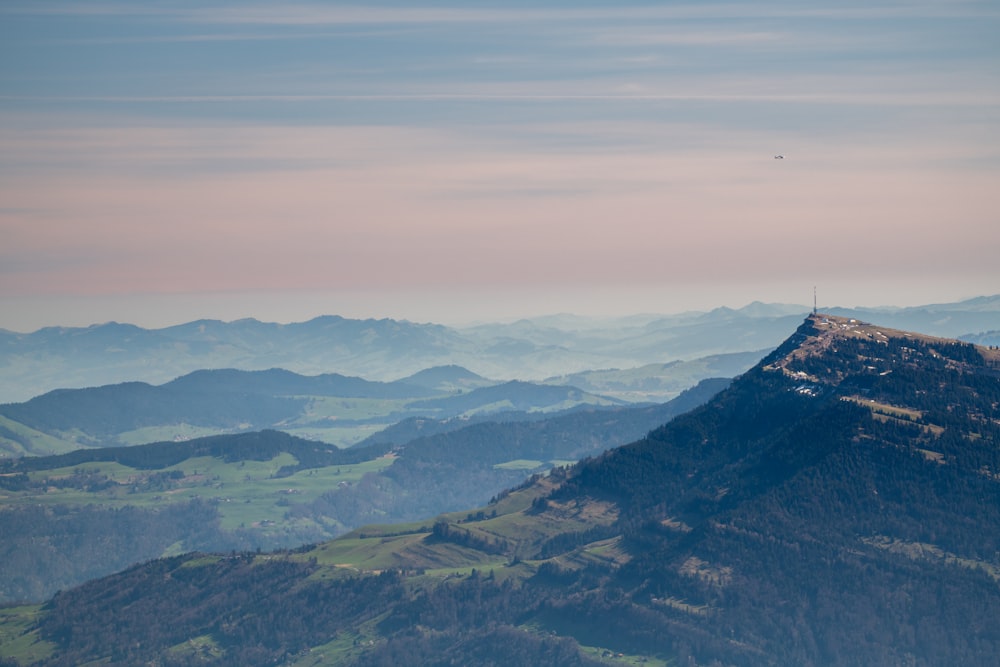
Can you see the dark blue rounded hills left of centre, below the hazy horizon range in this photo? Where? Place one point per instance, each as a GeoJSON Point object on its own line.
{"type": "Point", "coordinates": [333, 407]}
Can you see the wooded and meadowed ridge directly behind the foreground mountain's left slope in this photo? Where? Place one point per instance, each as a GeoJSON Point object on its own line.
{"type": "Point", "coordinates": [272, 490]}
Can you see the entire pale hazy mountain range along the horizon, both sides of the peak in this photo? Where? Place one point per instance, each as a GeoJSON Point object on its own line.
{"type": "Point", "coordinates": [63, 357]}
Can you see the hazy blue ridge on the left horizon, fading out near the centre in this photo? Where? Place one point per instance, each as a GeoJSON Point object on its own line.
{"type": "Point", "coordinates": [63, 357]}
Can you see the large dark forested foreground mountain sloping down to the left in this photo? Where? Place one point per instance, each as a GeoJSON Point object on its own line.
{"type": "Point", "coordinates": [838, 504]}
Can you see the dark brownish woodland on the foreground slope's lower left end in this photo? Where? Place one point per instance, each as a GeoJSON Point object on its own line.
{"type": "Point", "coordinates": [254, 608]}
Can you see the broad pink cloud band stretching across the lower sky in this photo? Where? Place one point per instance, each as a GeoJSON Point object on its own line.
{"type": "Point", "coordinates": [210, 209]}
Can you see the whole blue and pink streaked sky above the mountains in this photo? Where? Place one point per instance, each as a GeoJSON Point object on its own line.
{"type": "Point", "coordinates": [454, 162]}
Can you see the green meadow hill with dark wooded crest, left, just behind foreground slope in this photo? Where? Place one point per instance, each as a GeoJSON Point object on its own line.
{"type": "Point", "coordinates": [85, 514]}
